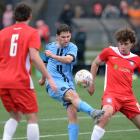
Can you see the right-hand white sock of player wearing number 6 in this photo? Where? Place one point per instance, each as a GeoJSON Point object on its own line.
{"type": "Point", "coordinates": [32, 131]}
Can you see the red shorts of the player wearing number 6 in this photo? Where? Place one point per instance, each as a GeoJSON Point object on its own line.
{"type": "Point", "coordinates": [23, 100]}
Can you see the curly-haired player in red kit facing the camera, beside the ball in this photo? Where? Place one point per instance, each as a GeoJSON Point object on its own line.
{"type": "Point", "coordinates": [118, 94]}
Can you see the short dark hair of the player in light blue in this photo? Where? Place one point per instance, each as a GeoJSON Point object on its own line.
{"type": "Point", "coordinates": [63, 28]}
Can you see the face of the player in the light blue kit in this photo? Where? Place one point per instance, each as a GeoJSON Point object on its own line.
{"type": "Point", "coordinates": [64, 38]}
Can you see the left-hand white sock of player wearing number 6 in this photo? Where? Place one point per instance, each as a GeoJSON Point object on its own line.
{"type": "Point", "coordinates": [9, 129]}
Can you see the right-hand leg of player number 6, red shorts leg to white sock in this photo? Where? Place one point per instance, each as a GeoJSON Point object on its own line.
{"type": "Point", "coordinates": [30, 110]}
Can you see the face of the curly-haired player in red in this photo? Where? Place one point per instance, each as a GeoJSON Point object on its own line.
{"type": "Point", "coordinates": [124, 47]}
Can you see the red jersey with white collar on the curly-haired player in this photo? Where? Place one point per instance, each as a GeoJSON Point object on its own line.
{"type": "Point", "coordinates": [119, 70]}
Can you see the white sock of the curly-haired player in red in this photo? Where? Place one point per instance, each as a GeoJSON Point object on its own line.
{"type": "Point", "coordinates": [97, 133]}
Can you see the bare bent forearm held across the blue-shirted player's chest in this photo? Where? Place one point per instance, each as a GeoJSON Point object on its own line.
{"type": "Point", "coordinates": [63, 59]}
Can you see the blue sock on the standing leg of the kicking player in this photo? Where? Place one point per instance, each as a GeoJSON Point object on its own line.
{"type": "Point", "coordinates": [73, 130]}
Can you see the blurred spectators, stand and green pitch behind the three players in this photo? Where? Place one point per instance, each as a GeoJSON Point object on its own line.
{"type": "Point", "coordinates": [93, 23]}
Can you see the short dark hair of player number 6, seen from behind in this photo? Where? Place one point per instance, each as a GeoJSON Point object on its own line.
{"type": "Point", "coordinates": [22, 12]}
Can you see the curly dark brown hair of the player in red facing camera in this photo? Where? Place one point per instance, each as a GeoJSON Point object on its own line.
{"type": "Point", "coordinates": [125, 34]}
